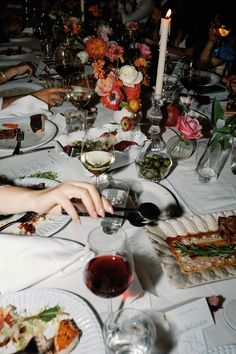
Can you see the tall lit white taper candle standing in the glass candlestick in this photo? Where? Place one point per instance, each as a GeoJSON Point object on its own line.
{"type": "Point", "coordinates": [164, 32]}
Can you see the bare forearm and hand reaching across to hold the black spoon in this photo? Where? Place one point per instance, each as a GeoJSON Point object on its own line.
{"type": "Point", "coordinates": [15, 199]}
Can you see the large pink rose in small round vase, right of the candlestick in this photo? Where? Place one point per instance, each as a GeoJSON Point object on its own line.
{"type": "Point", "coordinates": [189, 127]}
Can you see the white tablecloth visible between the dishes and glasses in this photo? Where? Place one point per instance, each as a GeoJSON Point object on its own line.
{"type": "Point", "coordinates": [153, 290]}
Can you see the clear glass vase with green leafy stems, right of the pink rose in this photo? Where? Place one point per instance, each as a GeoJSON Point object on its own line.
{"type": "Point", "coordinates": [211, 163]}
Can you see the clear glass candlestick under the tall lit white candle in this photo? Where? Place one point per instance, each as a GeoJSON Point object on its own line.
{"type": "Point", "coordinates": [155, 117]}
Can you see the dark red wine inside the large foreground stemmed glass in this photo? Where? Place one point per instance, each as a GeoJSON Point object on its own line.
{"type": "Point", "coordinates": [108, 276]}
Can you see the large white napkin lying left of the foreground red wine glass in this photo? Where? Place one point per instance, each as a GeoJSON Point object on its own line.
{"type": "Point", "coordinates": [26, 261]}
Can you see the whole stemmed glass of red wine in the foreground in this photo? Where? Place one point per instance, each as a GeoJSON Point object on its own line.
{"type": "Point", "coordinates": [109, 271]}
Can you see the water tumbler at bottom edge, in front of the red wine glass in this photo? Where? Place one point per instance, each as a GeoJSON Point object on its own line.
{"type": "Point", "coordinates": [129, 331]}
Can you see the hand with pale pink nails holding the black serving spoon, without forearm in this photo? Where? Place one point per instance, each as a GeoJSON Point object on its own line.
{"type": "Point", "coordinates": [53, 200]}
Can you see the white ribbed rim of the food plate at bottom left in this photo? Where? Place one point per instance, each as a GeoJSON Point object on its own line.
{"type": "Point", "coordinates": [96, 320]}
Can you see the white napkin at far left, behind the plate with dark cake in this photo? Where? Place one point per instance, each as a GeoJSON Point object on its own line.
{"type": "Point", "coordinates": [26, 105]}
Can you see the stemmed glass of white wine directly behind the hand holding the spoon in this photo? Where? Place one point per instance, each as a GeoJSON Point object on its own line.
{"type": "Point", "coordinates": [97, 150]}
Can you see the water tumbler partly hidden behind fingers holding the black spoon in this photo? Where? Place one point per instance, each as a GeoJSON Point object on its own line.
{"type": "Point", "coordinates": [117, 192]}
